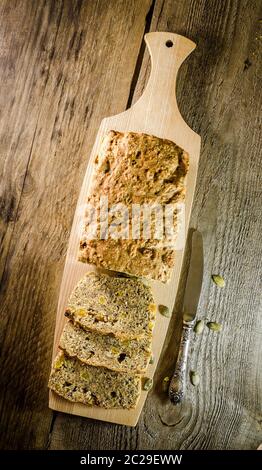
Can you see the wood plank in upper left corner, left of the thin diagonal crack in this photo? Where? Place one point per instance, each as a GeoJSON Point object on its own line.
{"type": "Point", "coordinates": [28, 35]}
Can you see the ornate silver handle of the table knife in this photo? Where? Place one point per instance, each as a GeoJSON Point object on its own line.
{"type": "Point", "coordinates": [178, 382]}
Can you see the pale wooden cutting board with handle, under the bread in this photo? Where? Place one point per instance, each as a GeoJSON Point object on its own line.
{"type": "Point", "coordinates": [156, 112]}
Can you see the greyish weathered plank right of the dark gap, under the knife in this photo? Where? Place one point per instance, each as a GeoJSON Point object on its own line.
{"type": "Point", "coordinates": [219, 97]}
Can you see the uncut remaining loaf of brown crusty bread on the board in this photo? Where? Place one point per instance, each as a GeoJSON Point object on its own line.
{"type": "Point", "coordinates": [134, 169]}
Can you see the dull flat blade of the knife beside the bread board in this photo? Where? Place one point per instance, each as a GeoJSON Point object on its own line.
{"type": "Point", "coordinates": [194, 278]}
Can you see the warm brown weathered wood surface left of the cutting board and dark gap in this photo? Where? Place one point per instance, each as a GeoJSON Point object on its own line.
{"type": "Point", "coordinates": [93, 56]}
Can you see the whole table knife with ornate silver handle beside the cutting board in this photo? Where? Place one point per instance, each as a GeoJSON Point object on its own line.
{"type": "Point", "coordinates": [191, 298]}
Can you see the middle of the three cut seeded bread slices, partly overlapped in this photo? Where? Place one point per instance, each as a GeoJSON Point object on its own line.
{"type": "Point", "coordinates": [106, 350]}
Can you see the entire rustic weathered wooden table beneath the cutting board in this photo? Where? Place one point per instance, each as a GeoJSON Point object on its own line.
{"type": "Point", "coordinates": [64, 66]}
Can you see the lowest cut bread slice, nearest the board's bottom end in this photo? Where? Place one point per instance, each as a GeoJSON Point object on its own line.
{"type": "Point", "coordinates": [94, 386]}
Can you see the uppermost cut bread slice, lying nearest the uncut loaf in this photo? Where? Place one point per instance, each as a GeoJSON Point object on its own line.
{"type": "Point", "coordinates": [106, 304]}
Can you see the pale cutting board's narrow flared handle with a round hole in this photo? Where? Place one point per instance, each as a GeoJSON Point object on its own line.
{"type": "Point", "coordinates": [167, 51]}
